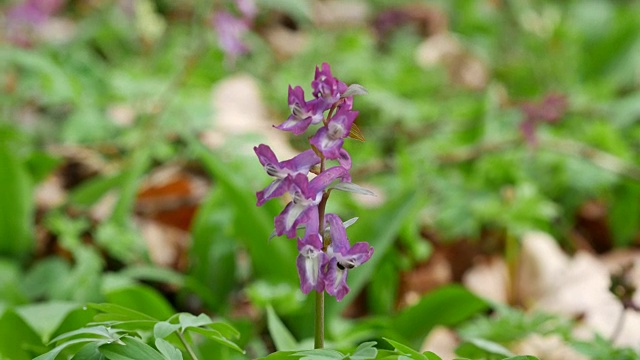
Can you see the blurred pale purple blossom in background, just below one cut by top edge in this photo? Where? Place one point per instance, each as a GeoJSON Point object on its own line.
{"type": "Point", "coordinates": [230, 32]}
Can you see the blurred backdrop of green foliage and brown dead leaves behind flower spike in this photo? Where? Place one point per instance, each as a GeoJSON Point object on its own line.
{"type": "Point", "coordinates": [502, 142]}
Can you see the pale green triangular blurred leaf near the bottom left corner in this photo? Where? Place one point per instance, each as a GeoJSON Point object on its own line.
{"type": "Point", "coordinates": [45, 318]}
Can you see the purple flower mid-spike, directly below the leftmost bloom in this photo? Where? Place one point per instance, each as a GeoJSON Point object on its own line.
{"type": "Point", "coordinates": [306, 197]}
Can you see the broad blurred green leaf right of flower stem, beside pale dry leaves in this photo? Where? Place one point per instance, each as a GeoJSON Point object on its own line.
{"type": "Point", "coordinates": [447, 305]}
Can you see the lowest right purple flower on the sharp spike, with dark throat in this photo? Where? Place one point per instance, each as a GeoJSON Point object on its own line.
{"type": "Point", "coordinates": [342, 257]}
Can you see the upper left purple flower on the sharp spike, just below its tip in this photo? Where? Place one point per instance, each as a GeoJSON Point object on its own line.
{"type": "Point", "coordinates": [303, 113]}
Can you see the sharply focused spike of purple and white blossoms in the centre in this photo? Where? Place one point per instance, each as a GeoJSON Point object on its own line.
{"type": "Point", "coordinates": [325, 253]}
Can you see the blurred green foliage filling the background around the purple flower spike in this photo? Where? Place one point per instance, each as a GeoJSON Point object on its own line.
{"type": "Point", "coordinates": [446, 157]}
